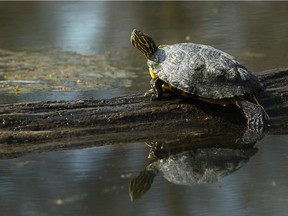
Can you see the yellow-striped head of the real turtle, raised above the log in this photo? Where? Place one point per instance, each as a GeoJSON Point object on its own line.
{"type": "Point", "coordinates": [143, 42]}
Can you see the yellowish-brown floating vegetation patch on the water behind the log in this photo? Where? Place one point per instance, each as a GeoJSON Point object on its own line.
{"type": "Point", "coordinates": [54, 70]}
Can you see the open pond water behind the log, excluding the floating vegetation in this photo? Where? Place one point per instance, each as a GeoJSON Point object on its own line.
{"type": "Point", "coordinates": [254, 32]}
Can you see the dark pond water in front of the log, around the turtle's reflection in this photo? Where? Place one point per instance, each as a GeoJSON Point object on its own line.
{"type": "Point", "coordinates": [95, 182]}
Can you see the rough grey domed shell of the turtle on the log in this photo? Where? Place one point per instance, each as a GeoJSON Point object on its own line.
{"type": "Point", "coordinates": [203, 71]}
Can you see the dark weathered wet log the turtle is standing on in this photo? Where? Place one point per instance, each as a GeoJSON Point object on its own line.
{"type": "Point", "coordinates": [28, 127]}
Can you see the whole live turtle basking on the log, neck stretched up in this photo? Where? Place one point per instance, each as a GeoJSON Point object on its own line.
{"type": "Point", "coordinates": [203, 72]}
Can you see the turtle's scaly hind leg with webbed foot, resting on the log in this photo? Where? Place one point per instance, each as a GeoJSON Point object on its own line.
{"type": "Point", "coordinates": [254, 113]}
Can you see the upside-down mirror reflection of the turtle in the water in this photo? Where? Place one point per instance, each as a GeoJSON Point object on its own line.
{"type": "Point", "coordinates": [196, 166]}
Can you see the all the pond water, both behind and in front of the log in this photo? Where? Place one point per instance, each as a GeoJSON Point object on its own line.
{"type": "Point", "coordinates": [95, 181]}
